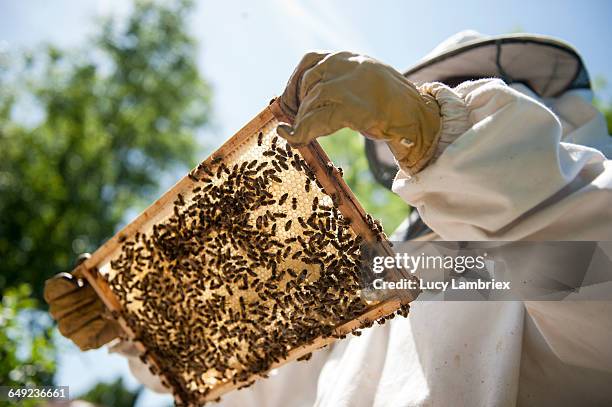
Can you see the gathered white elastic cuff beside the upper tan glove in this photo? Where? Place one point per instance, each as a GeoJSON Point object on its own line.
{"type": "Point", "coordinates": [454, 113]}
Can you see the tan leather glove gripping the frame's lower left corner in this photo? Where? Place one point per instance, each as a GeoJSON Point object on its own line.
{"type": "Point", "coordinates": [80, 314]}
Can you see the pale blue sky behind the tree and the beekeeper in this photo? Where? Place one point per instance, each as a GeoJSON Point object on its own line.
{"type": "Point", "coordinates": [248, 49]}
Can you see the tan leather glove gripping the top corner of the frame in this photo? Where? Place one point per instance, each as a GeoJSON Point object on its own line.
{"type": "Point", "coordinates": [328, 92]}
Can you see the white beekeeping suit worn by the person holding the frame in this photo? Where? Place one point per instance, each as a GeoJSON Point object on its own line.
{"type": "Point", "coordinates": [510, 166]}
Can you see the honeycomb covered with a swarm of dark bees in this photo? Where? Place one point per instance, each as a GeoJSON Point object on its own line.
{"type": "Point", "coordinates": [254, 261]}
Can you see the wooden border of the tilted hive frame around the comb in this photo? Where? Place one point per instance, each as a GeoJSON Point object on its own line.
{"type": "Point", "coordinates": [330, 179]}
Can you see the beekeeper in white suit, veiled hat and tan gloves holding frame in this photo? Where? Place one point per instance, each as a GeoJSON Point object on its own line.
{"type": "Point", "coordinates": [496, 139]}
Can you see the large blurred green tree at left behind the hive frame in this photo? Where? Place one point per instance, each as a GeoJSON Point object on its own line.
{"type": "Point", "coordinates": [113, 116]}
